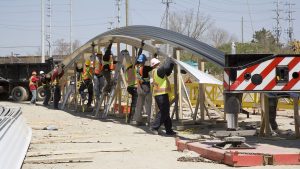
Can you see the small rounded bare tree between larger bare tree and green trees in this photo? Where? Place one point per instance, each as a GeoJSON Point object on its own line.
{"type": "Point", "coordinates": [219, 37]}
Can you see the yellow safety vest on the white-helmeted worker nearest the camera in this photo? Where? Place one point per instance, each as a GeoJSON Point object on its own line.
{"type": "Point", "coordinates": [160, 85]}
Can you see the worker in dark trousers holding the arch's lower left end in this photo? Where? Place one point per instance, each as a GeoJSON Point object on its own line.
{"type": "Point", "coordinates": [58, 72]}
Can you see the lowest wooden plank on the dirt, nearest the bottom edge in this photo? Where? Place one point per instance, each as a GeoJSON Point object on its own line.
{"type": "Point", "coordinates": [54, 160]}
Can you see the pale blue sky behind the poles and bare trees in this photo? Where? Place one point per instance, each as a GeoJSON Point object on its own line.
{"type": "Point", "coordinates": [20, 20]}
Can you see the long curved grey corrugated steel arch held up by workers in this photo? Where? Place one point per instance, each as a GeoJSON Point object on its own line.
{"type": "Point", "coordinates": [132, 35]}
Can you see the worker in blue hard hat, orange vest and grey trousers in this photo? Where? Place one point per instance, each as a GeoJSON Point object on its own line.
{"type": "Point", "coordinates": [143, 90]}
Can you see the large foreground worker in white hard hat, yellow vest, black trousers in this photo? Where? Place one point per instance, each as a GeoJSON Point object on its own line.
{"type": "Point", "coordinates": [161, 89]}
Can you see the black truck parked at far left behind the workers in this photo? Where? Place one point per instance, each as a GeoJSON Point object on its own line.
{"type": "Point", "coordinates": [14, 79]}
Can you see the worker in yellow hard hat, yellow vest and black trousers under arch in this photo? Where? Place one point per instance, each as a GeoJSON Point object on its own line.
{"type": "Point", "coordinates": [87, 82]}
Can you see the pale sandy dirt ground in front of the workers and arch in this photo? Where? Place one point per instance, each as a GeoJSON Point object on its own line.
{"type": "Point", "coordinates": [111, 144]}
